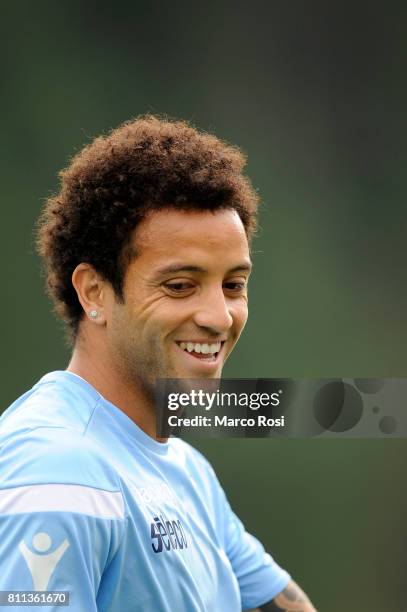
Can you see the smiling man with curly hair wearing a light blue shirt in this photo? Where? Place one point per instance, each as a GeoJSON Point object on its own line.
{"type": "Point", "coordinates": [147, 254]}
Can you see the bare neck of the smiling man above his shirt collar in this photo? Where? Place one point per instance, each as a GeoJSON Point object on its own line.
{"type": "Point", "coordinates": [97, 370]}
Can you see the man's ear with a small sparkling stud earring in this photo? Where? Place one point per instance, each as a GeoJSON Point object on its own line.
{"type": "Point", "coordinates": [91, 291]}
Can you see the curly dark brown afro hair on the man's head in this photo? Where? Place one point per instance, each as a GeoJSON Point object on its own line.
{"type": "Point", "coordinates": [145, 164]}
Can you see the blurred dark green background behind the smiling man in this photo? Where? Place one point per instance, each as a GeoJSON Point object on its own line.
{"type": "Point", "coordinates": [315, 94]}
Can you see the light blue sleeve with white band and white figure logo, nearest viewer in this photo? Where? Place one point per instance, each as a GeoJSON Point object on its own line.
{"type": "Point", "coordinates": [62, 517]}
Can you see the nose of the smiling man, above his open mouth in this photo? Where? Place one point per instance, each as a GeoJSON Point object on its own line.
{"type": "Point", "coordinates": [214, 312]}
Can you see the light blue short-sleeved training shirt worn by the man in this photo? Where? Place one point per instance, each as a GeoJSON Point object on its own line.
{"type": "Point", "coordinates": [92, 505]}
